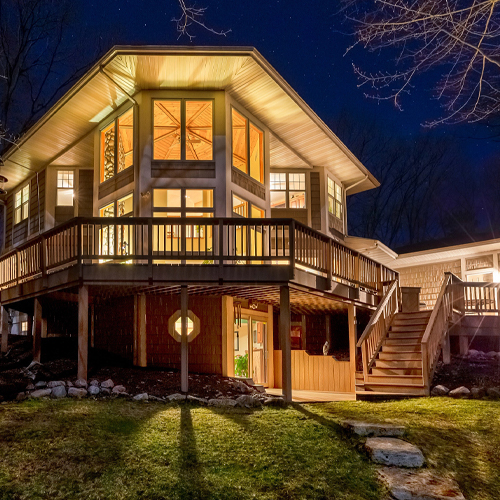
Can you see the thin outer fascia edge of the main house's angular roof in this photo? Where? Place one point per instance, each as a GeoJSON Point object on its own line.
{"type": "Point", "coordinates": [155, 49]}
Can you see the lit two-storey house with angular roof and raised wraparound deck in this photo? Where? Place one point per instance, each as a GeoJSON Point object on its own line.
{"type": "Point", "coordinates": [185, 208]}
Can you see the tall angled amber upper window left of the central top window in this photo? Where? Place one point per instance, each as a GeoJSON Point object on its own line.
{"type": "Point", "coordinates": [117, 155]}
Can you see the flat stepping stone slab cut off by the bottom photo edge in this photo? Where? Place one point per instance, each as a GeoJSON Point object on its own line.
{"type": "Point", "coordinates": [421, 485]}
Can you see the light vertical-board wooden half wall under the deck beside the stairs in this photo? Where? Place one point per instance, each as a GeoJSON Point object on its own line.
{"type": "Point", "coordinates": [315, 373]}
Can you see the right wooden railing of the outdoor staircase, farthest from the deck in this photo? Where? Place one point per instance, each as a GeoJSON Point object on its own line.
{"type": "Point", "coordinates": [436, 329]}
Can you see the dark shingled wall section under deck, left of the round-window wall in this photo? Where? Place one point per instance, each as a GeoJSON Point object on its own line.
{"type": "Point", "coordinates": [114, 332]}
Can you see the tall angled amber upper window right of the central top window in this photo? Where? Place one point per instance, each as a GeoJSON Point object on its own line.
{"type": "Point", "coordinates": [248, 147]}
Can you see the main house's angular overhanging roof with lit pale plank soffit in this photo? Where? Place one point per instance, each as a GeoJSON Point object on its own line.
{"type": "Point", "coordinates": [299, 138]}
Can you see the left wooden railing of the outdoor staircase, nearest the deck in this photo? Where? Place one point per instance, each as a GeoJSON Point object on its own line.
{"type": "Point", "coordinates": [378, 326]}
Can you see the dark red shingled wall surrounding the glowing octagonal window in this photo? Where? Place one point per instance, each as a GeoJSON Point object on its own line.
{"type": "Point", "coordinates": [205, 351]}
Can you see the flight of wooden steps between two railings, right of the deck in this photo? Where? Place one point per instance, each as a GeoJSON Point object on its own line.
{"type": "Point", "coordinates": [397, 367]}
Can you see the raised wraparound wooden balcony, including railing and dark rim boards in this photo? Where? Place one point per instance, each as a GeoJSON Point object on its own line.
{"type": "Point", "coordinates": [146, 252]}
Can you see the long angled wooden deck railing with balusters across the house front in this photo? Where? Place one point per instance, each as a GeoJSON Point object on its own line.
{"type": "Point", "coordinates": [191, 241]}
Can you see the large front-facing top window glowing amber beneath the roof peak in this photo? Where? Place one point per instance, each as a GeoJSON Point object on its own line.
{"type": "Point", "coordinates": [183, 129]}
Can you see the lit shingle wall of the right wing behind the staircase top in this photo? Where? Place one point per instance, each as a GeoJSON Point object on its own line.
{"type": "Point", "coordinates": [429, 277]}
